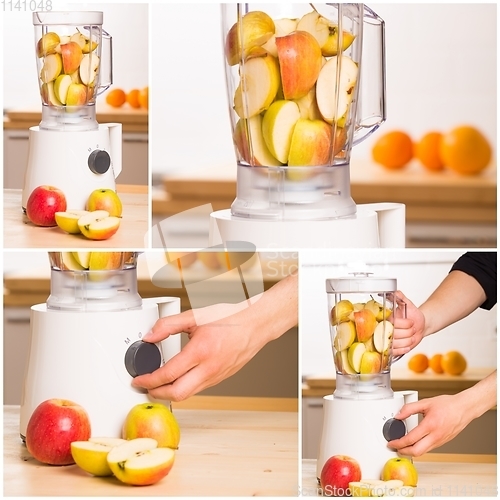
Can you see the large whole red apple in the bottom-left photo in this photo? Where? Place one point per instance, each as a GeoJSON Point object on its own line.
{"type": "Point", "coordinates": [52, 427]}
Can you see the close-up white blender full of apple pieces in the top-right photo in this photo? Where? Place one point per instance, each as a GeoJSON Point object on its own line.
{"type": "Point", "coordinates": [305, 82]}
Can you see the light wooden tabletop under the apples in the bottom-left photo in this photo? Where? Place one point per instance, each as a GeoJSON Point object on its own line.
{"type": "Point", "coordinates": [222, 452]}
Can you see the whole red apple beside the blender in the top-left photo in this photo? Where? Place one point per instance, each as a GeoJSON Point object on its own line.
{"type": "Point", "coordinates": [43, 203]}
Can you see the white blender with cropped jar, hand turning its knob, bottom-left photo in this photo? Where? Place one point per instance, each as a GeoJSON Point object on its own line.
{"type": "Point", "coordinates": [86, 342]}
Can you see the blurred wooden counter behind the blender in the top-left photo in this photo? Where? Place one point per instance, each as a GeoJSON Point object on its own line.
{"type": "Point", "coordinates": [132, 120]}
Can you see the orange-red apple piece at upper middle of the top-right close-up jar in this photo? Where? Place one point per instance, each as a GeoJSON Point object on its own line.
{"type": "Point", "coordinates": [300, 63]}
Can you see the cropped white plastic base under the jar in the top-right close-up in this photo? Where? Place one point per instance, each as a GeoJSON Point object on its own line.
{"type": "Point", "coordinates": [376, 225]}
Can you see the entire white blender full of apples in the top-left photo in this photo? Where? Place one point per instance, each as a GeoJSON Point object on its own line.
{"type": "Point", "coordinates": [69, 149]}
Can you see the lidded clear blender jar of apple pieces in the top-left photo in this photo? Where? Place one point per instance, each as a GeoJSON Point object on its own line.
{"type": "Point", "coordinates": [73, 67]}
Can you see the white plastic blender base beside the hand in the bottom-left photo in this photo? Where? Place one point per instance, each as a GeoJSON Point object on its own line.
{"type": "Point", "coordinates": [80, 357]}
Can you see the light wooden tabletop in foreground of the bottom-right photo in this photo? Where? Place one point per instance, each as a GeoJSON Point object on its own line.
{"type": "Point", "coordinates": [439, 475]}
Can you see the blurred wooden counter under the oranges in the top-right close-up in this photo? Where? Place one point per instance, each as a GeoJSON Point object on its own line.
{"type": "Point", "coordinates": [430, 197]}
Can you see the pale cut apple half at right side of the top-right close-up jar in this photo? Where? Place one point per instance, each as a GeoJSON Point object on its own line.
{"type": "Point", "coordinates": [334, 105]}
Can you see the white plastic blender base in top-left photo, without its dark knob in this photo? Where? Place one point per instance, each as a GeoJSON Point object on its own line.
{"type": "Point", "coordinates": [60, 159]}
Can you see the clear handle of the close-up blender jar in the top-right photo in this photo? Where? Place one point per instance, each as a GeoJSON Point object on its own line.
{"type": "Point", "coordinates": [371, 97]}
